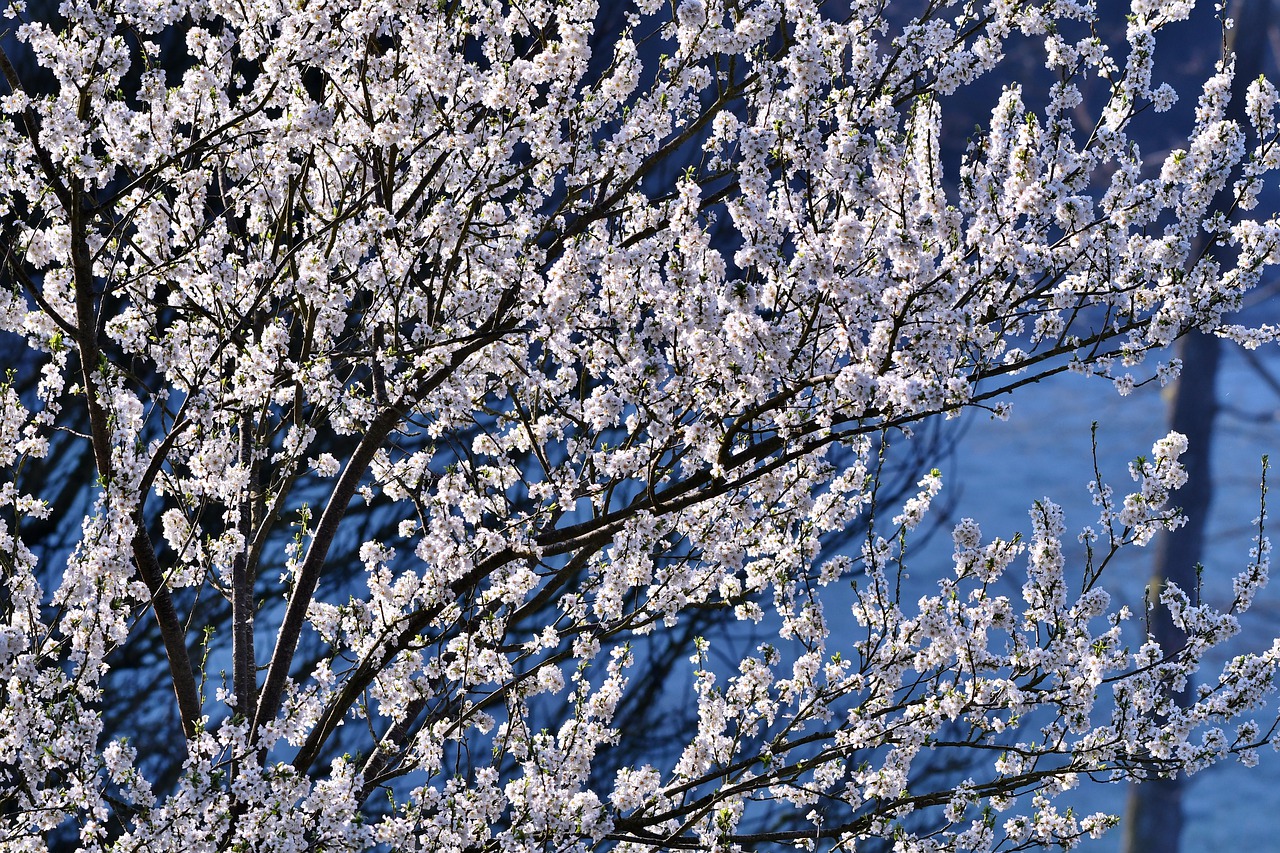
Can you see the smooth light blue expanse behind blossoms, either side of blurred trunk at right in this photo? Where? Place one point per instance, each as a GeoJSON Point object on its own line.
{"type": "Point", "coordinates": [1045, 450]}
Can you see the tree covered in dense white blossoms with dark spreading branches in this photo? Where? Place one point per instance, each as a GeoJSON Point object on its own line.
{"type": "Point", "coordinates": [616, 340]}
